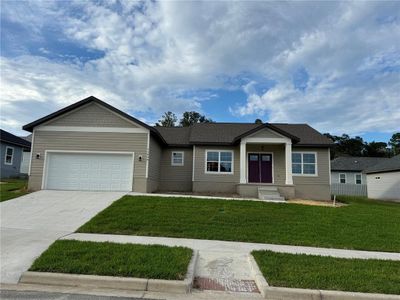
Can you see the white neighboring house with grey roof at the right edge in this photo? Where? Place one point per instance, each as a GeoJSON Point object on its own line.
{"type": "Point", "coordinates": [383, 180]}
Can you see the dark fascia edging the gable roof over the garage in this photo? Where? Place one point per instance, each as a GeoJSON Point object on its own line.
{"type": "Point", "coordinates": [29, 127]}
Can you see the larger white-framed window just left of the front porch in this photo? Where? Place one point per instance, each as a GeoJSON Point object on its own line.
{"type": "Point", "coordinates": [218, 161]}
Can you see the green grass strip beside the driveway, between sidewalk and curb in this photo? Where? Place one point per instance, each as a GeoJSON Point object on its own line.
{"type": "Point", "coordinates": [111, 259]}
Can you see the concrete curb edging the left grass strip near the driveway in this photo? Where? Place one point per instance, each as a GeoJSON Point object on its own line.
{"type": "Point", "coordinates": [112, 282]}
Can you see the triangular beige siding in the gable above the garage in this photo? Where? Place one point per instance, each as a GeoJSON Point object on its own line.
{"type": "Point", "coordinates": [91, 115]}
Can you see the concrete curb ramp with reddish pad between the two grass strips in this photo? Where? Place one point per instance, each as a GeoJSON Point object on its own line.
{"type": "Point", "coordinates": [221, 271]}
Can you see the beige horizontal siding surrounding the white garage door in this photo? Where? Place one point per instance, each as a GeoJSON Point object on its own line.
{"type": "Point", "coordinates": [89, 141]}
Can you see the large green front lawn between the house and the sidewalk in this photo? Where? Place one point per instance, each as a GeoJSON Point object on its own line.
{"type": "Point", "coordinates": [366, 225]}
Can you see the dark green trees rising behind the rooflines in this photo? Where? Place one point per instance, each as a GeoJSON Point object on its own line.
{"type": "Point", "coordinates": [344, 144]}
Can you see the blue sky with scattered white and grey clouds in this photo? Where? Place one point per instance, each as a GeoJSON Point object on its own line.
{"type": "Point", "coordinates": [334, 65]}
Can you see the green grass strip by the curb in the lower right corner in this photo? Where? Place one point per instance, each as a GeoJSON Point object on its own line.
{"type": "Point", "coordinates": [328, 273]}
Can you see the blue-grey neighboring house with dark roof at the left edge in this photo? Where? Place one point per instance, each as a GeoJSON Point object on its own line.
{"type": "Point", "coordinates": [14, 155]}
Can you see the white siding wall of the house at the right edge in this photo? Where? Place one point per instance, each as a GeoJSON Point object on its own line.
{"type": "Point", "coordinates": [385, 186]}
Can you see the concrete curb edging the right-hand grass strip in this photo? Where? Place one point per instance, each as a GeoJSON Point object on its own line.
{"type": "Point", "coordinates": [281, 293]}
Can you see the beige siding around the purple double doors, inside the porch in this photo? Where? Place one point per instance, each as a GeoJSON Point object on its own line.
{"type": "Point", "coordinates": [278, 159]}
